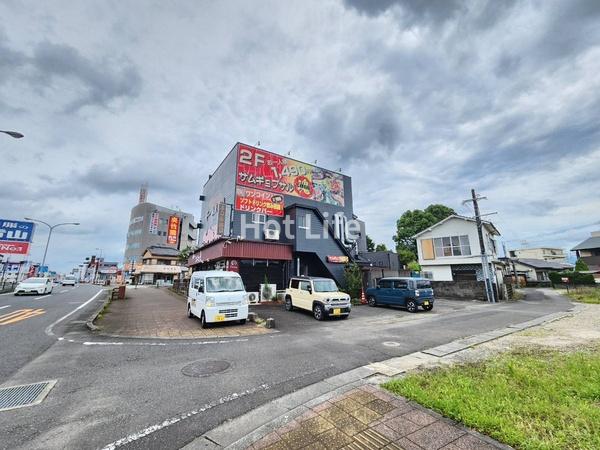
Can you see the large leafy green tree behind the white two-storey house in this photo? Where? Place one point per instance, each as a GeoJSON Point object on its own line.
{"type": "Point", "coordinates": [412, 222]}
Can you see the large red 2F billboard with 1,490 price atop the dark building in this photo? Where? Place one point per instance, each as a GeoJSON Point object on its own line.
{"type": "Point", "coordinates": [273, 173]}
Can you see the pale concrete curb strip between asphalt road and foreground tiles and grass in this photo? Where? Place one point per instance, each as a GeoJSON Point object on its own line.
{"type": "Point", "coordinates": [243, 431]}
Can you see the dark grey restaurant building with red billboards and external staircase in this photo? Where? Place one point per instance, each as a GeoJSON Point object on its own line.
{"type": "Point", "coordinates": [270, 217]}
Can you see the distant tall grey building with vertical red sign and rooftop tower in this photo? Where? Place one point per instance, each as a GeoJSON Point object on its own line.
{"type": "Point", "coordinates": [154, 225]}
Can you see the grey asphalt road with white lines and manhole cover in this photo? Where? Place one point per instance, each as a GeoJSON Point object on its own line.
{"type": "Point", "coordinates": [133, 394]}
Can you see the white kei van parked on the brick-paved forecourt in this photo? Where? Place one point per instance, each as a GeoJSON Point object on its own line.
{"type": "Point", "coordinates": [217, 296]}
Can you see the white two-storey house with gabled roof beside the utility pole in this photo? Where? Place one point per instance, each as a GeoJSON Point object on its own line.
{"type": "Point", "coordinates": [450, 251]}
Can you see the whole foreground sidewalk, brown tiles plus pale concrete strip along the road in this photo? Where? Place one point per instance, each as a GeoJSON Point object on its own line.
{"type": "Point", "coordinates": [350, 411]}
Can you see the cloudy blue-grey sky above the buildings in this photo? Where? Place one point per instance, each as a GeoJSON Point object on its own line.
{"type": "Point", "coordinates": [418, 101]}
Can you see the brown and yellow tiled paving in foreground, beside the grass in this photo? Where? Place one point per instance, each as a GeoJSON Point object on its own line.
{"type": "Point", "coordinates": [370, 418]}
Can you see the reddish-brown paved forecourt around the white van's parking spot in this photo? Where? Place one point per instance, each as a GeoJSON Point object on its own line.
{"type": "Point", "coordinates": [159, 313]}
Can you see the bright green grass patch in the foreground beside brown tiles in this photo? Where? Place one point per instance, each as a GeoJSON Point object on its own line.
{"type": "Point", "coordinates": [527, 399]}
